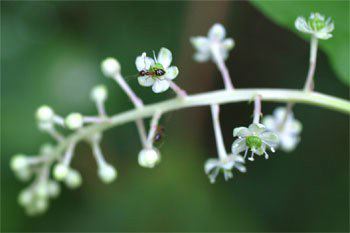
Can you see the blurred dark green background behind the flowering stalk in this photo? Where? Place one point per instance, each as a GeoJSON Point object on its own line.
{"type": "Point", "coordinates": [50, 54]}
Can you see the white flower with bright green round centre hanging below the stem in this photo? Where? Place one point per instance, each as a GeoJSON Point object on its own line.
{"type": "Point", "coordinates": [254, 138]}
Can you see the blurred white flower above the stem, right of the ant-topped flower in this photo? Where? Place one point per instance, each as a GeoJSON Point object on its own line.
{"type": "Point", "coordinates": [214, 42]}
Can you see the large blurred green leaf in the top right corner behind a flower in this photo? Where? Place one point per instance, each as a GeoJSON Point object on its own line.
{"type": "Point", "coordinates": [284, 13]}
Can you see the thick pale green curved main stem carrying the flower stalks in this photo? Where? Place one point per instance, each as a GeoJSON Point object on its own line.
{"type": "Point", "coordinates": [207, 99]}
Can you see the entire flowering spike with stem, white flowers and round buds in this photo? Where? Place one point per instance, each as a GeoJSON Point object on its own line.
{"type": "Point", "coordinates": [260, 139]}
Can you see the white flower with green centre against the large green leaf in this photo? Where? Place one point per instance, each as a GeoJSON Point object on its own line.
{"type": "Point", "coordinates": [317, 25]}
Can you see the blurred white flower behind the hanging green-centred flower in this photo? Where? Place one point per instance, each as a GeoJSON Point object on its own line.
{"type": "Point", "coordinates": [287, 128]}
